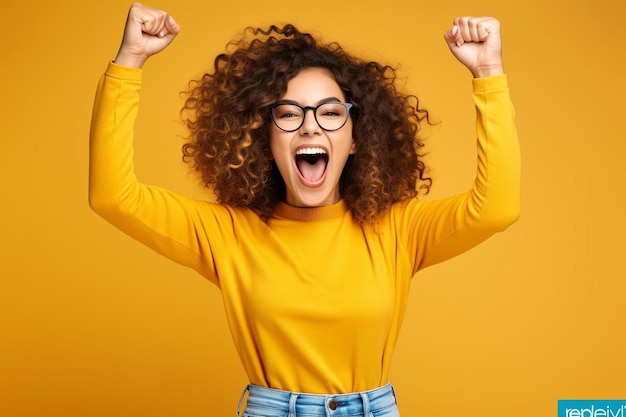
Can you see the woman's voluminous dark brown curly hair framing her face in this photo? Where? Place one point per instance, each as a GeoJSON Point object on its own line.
{"type": "Point", "coordinates": [227, 114]}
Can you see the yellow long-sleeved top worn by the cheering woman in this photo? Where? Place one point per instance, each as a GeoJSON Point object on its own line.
{"type": "Point", "coordinates": [314, 301]}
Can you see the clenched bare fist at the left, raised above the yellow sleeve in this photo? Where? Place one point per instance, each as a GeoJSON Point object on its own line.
{"type": "Point", "coordinates": [148, 31]}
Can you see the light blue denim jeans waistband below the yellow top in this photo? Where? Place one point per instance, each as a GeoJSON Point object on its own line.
{"type": "Point", "coordinates": [267, 402]}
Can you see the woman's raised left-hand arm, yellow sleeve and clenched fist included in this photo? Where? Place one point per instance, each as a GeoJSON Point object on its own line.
{"type": "Point", "coordinates": [162, 220]}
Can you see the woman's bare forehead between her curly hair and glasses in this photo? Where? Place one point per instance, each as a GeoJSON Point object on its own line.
{"type": "Point", "coordinates": [311, 85]}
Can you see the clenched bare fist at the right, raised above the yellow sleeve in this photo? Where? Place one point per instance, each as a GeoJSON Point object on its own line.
{"type": "Point", "coordinates": [476, 43]}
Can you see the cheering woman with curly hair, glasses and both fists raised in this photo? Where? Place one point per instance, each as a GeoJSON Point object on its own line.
{"type": "Point", "coordinates": [318, 229]}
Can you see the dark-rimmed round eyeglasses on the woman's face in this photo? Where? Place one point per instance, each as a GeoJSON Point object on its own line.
{"type": "Point", "coordinates": [329, 116]}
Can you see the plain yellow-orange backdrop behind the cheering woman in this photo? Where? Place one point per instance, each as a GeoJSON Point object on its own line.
{"type": "Point", "coordinates": [94, 324]}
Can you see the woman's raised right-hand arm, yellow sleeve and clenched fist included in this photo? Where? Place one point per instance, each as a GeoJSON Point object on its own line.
{"type": "Point", "coordinates": [439, 230]}
